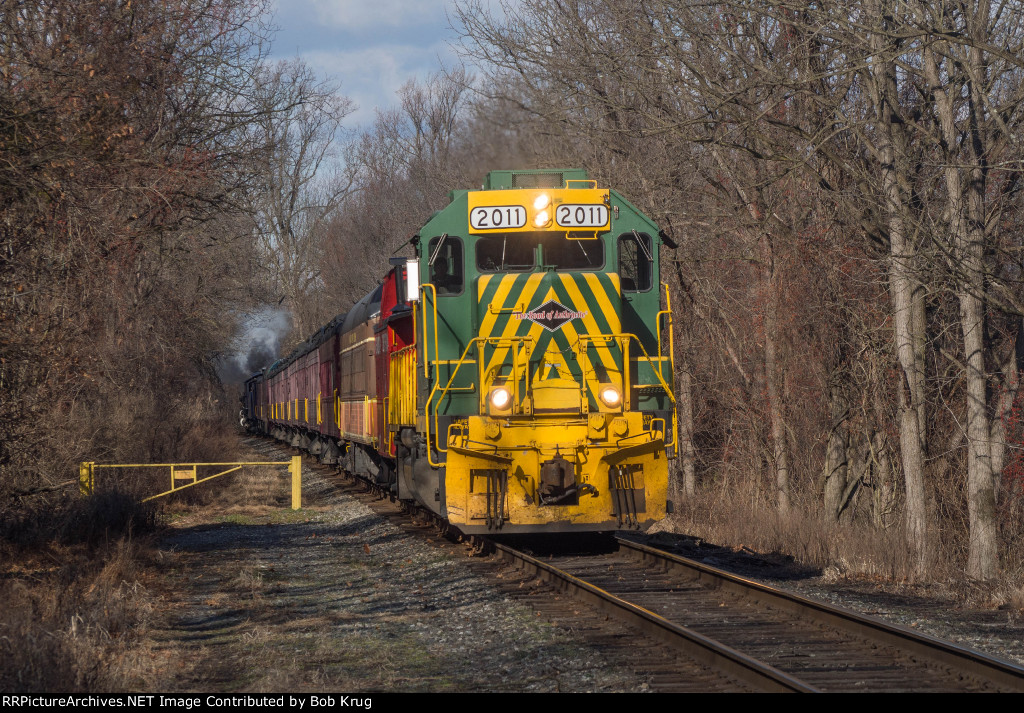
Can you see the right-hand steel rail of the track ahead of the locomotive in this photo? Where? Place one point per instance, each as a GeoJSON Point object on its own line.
{"type": "Point", "coordinates": [1003, 675]}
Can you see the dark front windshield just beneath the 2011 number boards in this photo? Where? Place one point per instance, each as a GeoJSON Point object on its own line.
{"type": "Point", "coordinates": [522, 253]}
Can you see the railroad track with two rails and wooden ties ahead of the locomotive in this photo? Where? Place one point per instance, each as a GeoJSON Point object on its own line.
{"type": "Point", "coordinates": [763, 638]}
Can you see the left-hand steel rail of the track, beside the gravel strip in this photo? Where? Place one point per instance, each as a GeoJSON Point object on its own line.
{"type": "Point", "coordinates": [700, 648]}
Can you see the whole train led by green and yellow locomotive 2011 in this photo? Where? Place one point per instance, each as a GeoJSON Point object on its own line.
{"type": "Point", "coordinates": [515, 378]}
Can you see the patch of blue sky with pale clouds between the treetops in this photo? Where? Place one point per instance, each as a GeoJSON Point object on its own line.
{"type": "Point", "coordinates": [372, 48]}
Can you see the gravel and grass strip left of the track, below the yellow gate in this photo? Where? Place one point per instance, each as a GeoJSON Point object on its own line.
{"type": "Point", "coordinates": [335, 598]}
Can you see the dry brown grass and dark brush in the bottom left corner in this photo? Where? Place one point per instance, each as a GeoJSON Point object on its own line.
{"type": "Point", "coordinates": [76, 609]}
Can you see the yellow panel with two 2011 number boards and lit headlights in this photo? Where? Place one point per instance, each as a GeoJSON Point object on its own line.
{"type": "Point", "coordinates": [516, 211]}
